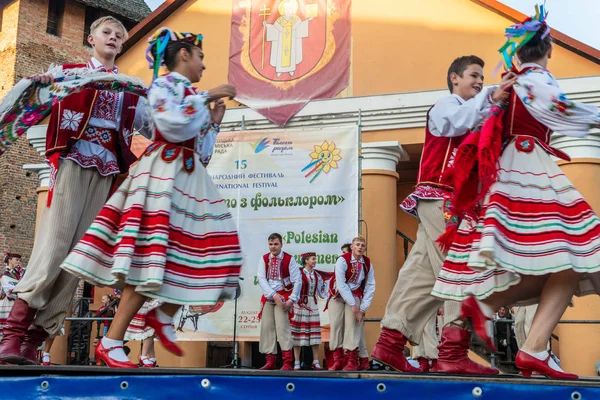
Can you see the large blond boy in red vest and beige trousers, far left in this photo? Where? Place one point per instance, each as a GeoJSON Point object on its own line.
{"type": "Point", "coordinates": [87, 146]}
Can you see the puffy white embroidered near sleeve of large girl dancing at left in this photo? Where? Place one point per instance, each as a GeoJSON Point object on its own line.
{"type": "Point", "coordinates": [178, 118]}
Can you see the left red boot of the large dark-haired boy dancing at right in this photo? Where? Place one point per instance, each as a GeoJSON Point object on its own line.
{"type": "Point", "coordinates": [389, 351]}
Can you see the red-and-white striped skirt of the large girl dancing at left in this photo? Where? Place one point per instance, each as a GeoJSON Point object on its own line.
{"type": "Point", "coordinates": [165, 231]}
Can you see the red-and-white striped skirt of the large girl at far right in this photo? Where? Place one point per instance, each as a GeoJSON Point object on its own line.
{"type": "Point", "coordinates": [532, 222]}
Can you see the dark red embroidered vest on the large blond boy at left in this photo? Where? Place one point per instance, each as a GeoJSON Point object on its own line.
{"type": "Point", "coordinates": [60, 140]}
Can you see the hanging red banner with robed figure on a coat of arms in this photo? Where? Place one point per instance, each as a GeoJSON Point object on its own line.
{"type": "Point", "coordinates": [284, 53]}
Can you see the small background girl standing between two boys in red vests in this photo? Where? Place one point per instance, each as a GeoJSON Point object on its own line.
{"type": "Point", "coordinates": [306, 324]}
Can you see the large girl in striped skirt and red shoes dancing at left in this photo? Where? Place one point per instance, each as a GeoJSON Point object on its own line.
{"type": "Point", "coordinates": [166, 233]}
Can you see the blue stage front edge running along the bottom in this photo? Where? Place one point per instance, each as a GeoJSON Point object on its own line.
{"type": "Point", "coordinates": [162, 383]}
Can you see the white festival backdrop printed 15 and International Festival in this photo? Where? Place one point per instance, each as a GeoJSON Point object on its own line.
{"type": "Point", "coordinates": [302, 184]}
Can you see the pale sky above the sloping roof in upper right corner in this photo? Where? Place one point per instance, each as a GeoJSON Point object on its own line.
{"type": "Point", "coordinates": [575, 18]}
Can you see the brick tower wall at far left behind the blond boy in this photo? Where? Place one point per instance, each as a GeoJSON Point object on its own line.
{"type": "Point", "coordinates": [26, 49]}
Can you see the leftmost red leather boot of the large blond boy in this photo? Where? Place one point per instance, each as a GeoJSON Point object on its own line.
{"type": "Point", "coordinates": [20, 318]}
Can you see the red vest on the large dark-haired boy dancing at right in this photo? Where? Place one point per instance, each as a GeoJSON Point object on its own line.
{"type": "Point", "coordinates": [438, 155]}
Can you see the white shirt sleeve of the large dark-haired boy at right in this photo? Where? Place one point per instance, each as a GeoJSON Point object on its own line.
{"type": "Point", "coordinates": [449, 118]}
